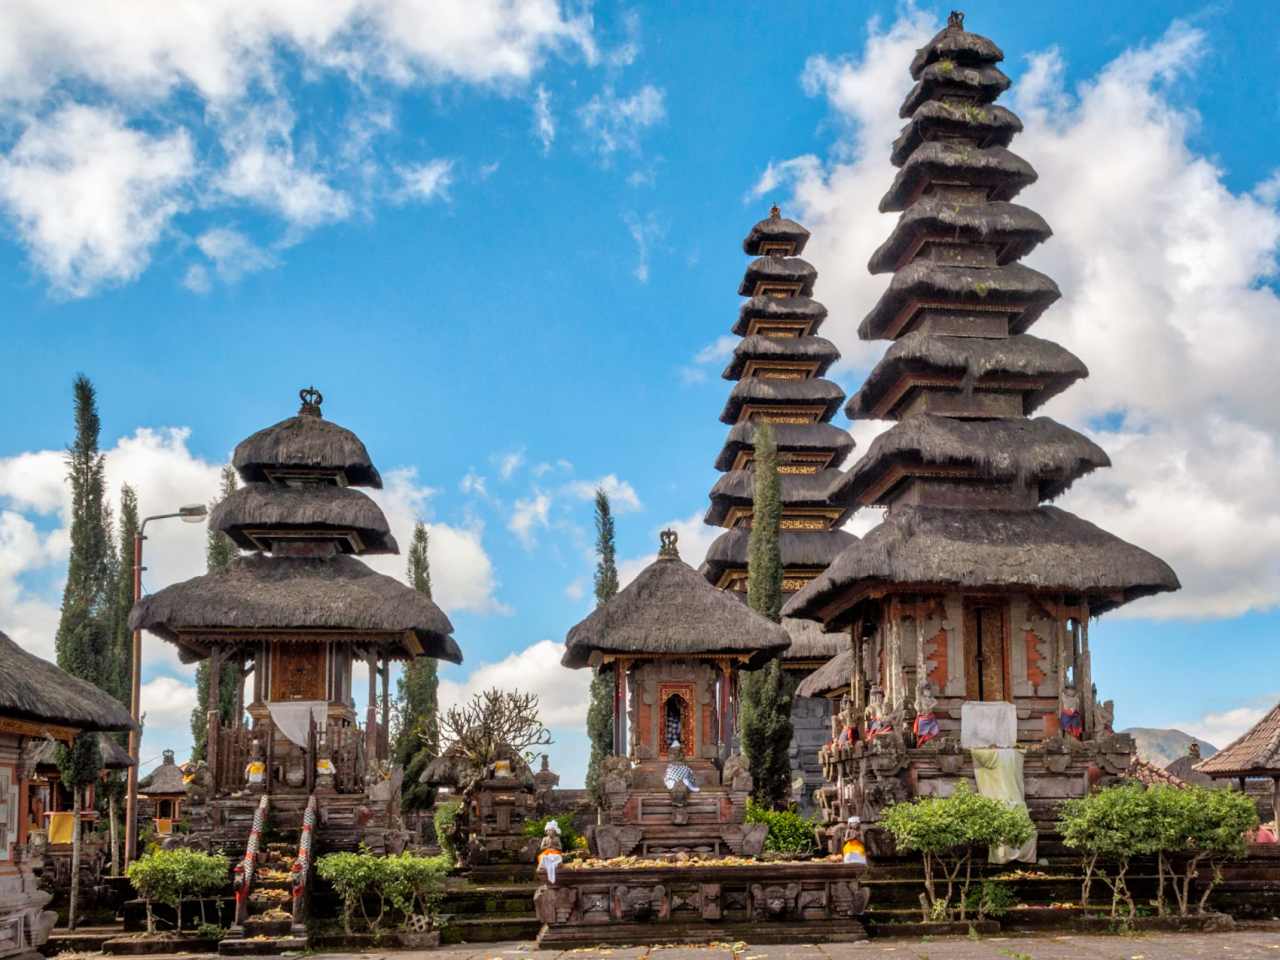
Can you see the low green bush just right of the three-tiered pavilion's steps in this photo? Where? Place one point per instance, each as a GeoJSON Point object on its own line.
{"type": "Point", "coordinates": [408, 885]}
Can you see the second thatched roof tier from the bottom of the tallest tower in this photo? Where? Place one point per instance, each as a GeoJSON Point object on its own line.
{"type": "Point", "coordinates": [1040, 450]}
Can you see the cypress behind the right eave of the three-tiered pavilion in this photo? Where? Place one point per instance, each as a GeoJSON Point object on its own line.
{"type": "Point", "coordinates": [418, 740]}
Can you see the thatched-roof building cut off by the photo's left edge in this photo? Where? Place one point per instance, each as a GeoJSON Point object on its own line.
{"type": "Point", "coordinates": [40, 706]}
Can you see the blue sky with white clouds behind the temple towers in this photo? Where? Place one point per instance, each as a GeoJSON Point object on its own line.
{"type": "Point", "coordinates": [505, 246]}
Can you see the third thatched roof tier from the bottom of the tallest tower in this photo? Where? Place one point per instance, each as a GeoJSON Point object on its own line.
{"type": "Point", "coordinates": [973, 358]}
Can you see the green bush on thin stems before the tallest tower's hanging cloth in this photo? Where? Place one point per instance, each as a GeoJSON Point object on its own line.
{"type": "Point", "coordinates": [948, 831]}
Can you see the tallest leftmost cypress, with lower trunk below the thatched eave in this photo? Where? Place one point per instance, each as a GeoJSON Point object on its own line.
{"type": "Point", "coordinates": [84, 641]}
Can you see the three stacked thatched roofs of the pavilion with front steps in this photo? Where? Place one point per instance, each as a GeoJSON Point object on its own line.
{"type": "Point", "coordinates": [307, 525]}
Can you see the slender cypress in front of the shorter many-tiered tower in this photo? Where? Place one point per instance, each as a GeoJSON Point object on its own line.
{"type": "Point", "coordinates": [766, 719]}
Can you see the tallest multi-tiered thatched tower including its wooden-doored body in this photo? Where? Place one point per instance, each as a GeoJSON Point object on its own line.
{"type": "Point", "coordinates": [971, 586]}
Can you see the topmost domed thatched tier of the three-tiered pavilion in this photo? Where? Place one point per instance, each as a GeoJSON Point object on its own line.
{"type": "Point", "coordinates": [307, 441]}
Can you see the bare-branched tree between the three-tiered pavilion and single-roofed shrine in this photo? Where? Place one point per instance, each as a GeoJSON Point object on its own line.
{"type": "Point", "coordinates": [493, 725]}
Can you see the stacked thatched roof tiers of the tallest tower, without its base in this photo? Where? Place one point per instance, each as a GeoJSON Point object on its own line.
{"type": "Point", "coordinates": [964, 469]}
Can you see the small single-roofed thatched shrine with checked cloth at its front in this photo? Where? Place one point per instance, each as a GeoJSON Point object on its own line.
{"type": "Point", "coordinates": [676, 781]}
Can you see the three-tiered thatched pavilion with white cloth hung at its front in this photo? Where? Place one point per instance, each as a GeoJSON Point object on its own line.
{"type": "Point", "coordinates": [296, 611]}
